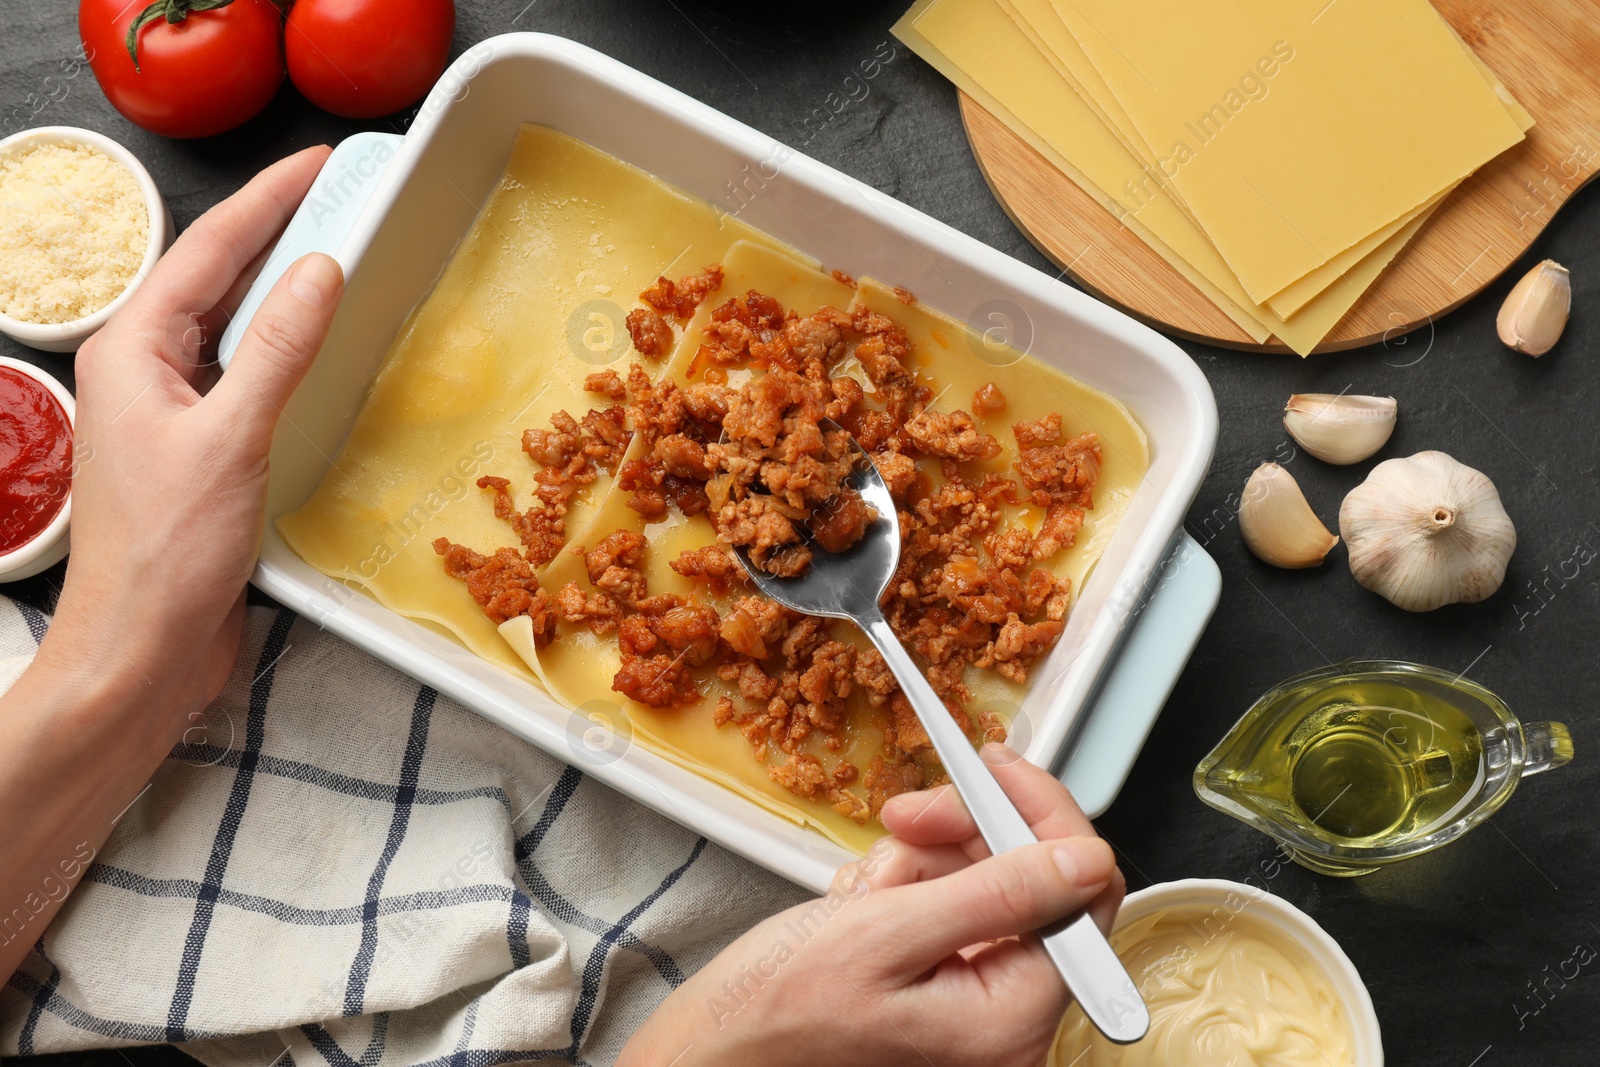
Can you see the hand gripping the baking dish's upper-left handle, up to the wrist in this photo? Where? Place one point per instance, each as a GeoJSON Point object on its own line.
{"type": "Point", "coordinates": [172, 474]}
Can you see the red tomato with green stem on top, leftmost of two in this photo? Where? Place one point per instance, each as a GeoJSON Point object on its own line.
{"type": "Point", "coordinates": [212, 70]}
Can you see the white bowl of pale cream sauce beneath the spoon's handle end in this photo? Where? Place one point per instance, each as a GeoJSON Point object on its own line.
{"type": "Point", "coordinates": [1234, 978]}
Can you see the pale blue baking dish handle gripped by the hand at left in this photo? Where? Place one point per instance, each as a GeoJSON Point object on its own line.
{"type": "Point", "coordinates": [324, 220]}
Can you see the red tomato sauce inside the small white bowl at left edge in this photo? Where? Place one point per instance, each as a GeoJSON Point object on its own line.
{"type": "Point", "coordinates": [36, 458]}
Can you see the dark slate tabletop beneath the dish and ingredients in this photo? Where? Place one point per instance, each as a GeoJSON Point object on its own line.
{"type": "Point", "coordinates": [1463, 949]}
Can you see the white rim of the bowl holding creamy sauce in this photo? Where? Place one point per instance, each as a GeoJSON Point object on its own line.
{"type": "Point", "coordinates": [1295, 924]}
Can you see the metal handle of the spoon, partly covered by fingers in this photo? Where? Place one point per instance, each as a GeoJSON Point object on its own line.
{"type": "Point", "coordinates": [1079, 949]}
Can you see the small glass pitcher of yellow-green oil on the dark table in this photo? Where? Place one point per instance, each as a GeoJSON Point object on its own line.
{"type": "Point", "coordinates": [1366, 764]}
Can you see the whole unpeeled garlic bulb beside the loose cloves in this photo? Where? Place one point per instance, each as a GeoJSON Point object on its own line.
{"type": "Point", "coordinates": [1428, 532]}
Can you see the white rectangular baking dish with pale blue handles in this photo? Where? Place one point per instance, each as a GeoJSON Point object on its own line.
{"type": "Point", "coordinates": [391, 210]}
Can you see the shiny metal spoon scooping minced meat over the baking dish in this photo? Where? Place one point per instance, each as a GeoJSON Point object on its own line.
{"type": "Point", "coordinates": [849, 586]}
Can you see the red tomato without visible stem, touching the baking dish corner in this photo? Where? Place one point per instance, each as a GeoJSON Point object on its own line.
{"type": "Point", "coordinates": [367, 58]}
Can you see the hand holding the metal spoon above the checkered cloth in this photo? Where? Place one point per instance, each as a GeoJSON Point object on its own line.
{"type": "Point", "coordinates": [921, 953]}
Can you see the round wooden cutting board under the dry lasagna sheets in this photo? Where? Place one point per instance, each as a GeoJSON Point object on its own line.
{"type": "Point", "coordinates": [1546, 52]}
